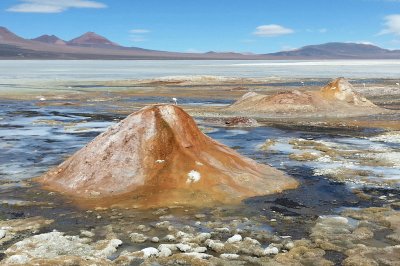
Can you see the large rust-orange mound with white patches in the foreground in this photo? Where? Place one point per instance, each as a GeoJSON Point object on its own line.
{"type": "Point", "coordinates": [158, 157]}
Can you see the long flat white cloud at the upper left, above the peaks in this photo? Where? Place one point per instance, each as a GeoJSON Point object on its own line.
{"type": "Point", "coordinates": [53, 6]}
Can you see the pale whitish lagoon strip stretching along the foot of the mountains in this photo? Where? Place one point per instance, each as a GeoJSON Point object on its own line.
{"type": "Point", "coordinates": [12, 72]}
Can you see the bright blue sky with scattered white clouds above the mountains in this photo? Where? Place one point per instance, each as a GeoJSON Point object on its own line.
{"type": "Point", "coordinates": [256, 26]}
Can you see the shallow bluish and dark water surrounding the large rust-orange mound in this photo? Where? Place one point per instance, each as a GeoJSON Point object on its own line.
{"type": "Point", "coordinates": [34, 138]}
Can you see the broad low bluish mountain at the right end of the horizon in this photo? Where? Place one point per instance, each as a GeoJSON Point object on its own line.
{"type": "Point", "coordinates": [337, 50]}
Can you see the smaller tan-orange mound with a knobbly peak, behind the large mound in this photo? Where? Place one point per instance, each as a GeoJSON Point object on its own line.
{"type": "Point", "coordinates": [335, 99]}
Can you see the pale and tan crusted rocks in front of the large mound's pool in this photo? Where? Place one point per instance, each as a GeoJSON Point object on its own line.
{"type": "Point", "coordinates": [355, 236]}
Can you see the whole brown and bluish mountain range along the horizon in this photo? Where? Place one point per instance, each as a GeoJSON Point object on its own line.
{"type": "Point", "coordinates": [93, 46]}
